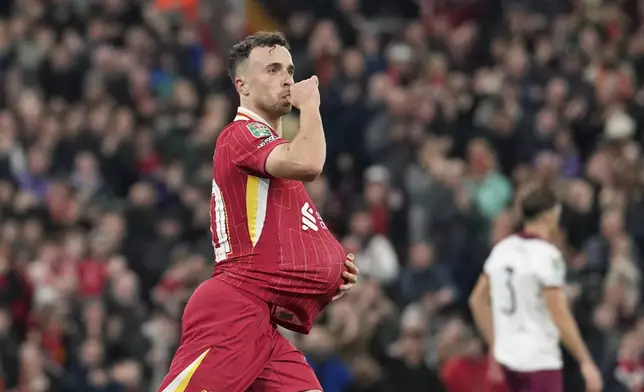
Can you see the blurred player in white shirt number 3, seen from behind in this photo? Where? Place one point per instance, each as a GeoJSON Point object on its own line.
{"type": "Point", "coordinates": [520, 306]}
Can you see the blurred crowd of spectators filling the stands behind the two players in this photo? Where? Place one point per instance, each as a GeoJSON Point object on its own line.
{"type": "Point", "coordinates": [438, 114]}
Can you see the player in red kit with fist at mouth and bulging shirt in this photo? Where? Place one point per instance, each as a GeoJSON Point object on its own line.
{"type": "Point", "coordinates": [276, 261]}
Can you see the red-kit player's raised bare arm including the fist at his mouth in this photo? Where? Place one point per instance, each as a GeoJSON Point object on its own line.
{"type": "Point", "coordinates": [303, 158]}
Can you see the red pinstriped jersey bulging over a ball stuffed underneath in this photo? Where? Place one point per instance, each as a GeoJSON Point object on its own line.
{"type": "Point", "coordinates": [268, 237]}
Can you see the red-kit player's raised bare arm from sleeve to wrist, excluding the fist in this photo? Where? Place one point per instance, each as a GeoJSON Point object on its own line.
{"type": "Point", "coordinates": [303, 158]}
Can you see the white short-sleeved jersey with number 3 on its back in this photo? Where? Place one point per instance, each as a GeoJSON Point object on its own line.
{"type": "Point", "coordinates": [525, 337]}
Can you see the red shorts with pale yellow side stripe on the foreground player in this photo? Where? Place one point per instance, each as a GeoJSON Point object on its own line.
{"type": "Point", "coordinates": [229, 344]}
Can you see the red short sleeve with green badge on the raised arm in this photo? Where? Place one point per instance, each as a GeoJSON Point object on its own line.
{"type": "Point", "coordinates": [251, 144]}
